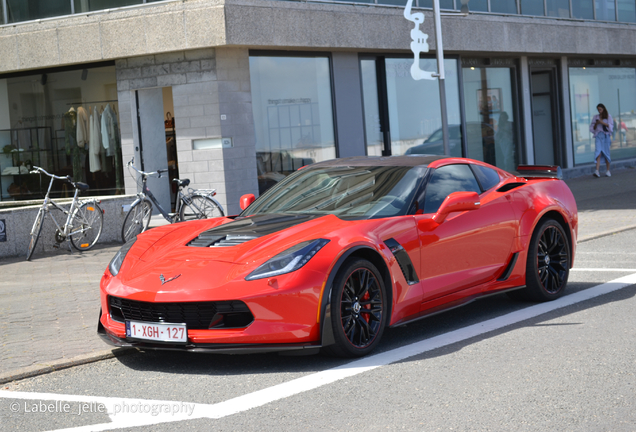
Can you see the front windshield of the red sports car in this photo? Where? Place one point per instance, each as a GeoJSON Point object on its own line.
{"type": "Point", "coordinates": [349, 191]}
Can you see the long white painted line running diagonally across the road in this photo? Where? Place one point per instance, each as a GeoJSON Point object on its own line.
{"type": "Point", "coordinates": [188, 411]}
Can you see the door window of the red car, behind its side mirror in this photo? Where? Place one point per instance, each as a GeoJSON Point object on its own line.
{"type": "Point", "coordinates": [445, 181]}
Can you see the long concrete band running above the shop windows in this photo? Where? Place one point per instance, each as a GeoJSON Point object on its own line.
{"type": "Point", "coordinates": [190, 24]}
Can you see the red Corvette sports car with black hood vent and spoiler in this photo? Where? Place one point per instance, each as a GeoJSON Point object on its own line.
{"type": "Point", "coordinates": [337, 251]}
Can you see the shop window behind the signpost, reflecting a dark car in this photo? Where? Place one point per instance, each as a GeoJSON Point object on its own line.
{"type": "Point", "coordinates": [414, 109]}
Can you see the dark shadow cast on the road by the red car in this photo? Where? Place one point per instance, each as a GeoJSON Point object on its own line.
{"type": "Point", "coordinates": [206, 364]}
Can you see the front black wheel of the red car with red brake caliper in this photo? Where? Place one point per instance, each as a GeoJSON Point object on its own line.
{"type": "Point", "coordinates": [358, 309]}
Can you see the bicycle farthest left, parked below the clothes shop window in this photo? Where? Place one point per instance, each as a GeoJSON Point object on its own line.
{"type": "Point", "coordinates": [84, 218]}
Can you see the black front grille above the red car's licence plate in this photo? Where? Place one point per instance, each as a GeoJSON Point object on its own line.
{"type": "Point", "coordinates": [196, 315]}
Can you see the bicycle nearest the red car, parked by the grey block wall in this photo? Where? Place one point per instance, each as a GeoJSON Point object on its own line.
{"type": "Point", "coordinates": [196, 204]}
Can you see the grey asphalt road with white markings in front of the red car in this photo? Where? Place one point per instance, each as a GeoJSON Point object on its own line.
{"type": "Point", "coordinates": [494, 365]}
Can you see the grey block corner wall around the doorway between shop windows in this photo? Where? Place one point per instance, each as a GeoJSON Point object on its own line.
{"type": "Point", "coordinates": [212, 99]}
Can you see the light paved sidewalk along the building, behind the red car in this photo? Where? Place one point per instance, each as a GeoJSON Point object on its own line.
{"type": "Point", "coordinates": [49, 307]}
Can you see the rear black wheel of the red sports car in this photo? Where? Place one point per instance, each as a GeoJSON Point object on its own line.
{"type": "Point", "coordinates": [548, 264]}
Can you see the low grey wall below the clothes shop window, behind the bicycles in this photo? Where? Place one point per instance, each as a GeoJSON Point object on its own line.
{"type": "Point", "coordinates": [20, 220]}
